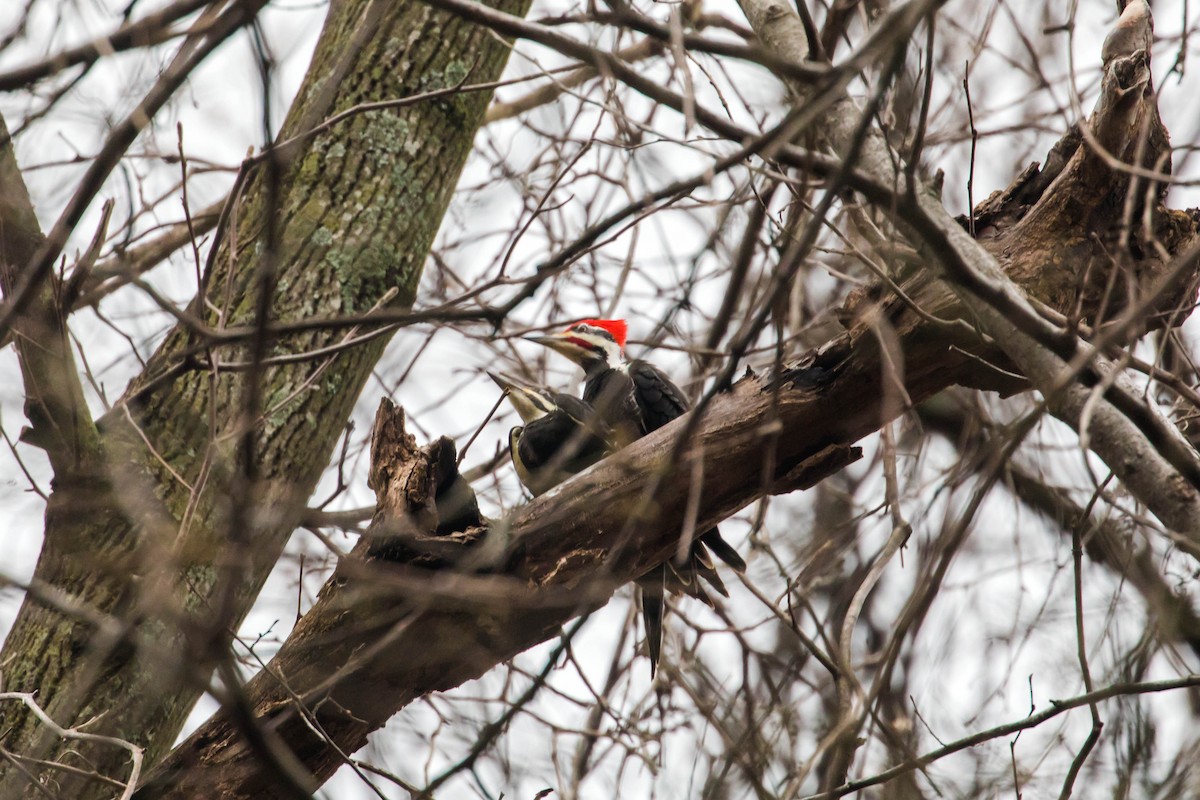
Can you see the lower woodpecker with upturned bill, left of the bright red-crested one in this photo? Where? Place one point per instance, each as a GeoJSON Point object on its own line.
{"type": "Point", "coordinates": [562, 436]}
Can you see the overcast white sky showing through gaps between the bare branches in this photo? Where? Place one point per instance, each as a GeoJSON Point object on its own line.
{"type": "Point", "coordinates": [991, 630]}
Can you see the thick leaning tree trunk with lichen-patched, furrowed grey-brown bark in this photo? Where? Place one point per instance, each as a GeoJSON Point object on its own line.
{"type": "Point", "coordinates": [163, 534]}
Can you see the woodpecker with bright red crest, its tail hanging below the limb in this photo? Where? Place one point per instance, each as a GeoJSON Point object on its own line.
{"type": "Point", "coordinates": [635, 398]}
